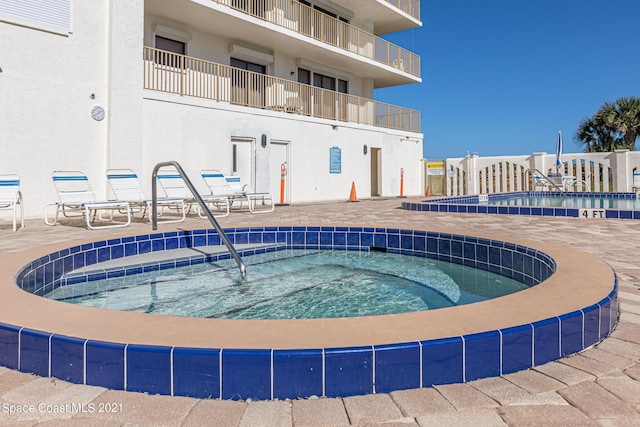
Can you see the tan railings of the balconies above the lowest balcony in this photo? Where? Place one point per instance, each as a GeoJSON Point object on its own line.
{"type": "Point", "coordinates": [327, 29]}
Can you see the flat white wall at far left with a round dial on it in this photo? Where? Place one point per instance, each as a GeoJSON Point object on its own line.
{"type": "Point", "coordinates": [45, 85]}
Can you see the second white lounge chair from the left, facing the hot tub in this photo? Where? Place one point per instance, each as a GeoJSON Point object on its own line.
{"type": "Point", "coordinates": [77, 199]}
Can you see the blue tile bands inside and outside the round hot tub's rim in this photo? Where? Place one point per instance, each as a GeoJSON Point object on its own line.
{"type": "Point", "coordinates": [268, 373]}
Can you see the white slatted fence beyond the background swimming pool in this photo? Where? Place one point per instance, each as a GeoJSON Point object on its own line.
{"type": "Point", "coordinates": [597, 172]}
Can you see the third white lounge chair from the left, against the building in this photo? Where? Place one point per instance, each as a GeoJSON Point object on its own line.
{"type": "Point", "coordinates": [126, 186]}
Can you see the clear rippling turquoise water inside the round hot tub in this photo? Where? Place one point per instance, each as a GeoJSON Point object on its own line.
{"type": "Point", "coordinates": [295, 284]}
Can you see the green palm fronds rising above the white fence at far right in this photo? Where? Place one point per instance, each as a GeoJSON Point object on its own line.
{"type": "Point", "coordinates": [614, 125]}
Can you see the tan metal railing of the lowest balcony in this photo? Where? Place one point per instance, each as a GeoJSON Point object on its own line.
{"type": "Point", "coordinates": [183, 75]}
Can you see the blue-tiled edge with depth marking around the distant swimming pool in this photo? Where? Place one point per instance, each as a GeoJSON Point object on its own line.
{"type": "Point", "coordinates": [471, 204]}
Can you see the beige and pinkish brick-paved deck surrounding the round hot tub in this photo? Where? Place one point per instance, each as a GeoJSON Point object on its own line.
{"type": "Point", "coordinates": [599, 386]}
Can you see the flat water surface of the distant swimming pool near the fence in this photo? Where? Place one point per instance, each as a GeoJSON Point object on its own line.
{"type": "Point", "coordinates": [559, 201]}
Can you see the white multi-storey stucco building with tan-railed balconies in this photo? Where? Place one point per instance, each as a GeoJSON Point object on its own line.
{"type": "Point", "coordinates": [241, 86]}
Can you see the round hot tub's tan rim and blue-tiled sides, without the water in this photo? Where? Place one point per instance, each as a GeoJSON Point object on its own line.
{"type": "Point", "coordinates": [572, 306]}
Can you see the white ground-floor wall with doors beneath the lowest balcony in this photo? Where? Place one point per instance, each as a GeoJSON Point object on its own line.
{"type": "Point", "coordinates": [198, 135]}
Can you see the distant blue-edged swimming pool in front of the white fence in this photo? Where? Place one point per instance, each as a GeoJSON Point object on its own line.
{"type": "Point", "coordinates": [538, 203]}
